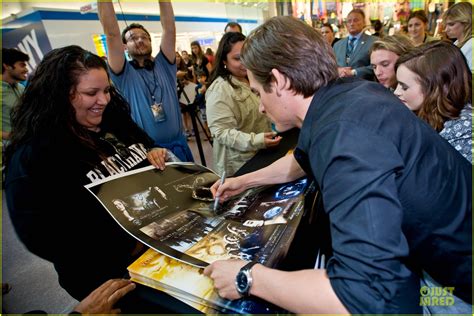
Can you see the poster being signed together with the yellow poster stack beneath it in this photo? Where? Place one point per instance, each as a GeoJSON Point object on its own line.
{"type": "Point", "coordinates": [171, 211]}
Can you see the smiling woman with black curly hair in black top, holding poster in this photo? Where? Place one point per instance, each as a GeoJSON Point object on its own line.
{"type": "Point", "coordinates": [72, 128]}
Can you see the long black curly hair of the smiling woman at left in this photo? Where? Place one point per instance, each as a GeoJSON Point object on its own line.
{"type": "Point", "coordinates": [45, 108]}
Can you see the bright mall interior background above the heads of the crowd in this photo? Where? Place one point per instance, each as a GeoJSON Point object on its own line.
{"type": "Point", "coordinates": [36, 27]}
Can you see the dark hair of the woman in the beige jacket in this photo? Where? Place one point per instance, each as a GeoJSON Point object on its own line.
{"type": "Point", "coordinates": [225, 46]}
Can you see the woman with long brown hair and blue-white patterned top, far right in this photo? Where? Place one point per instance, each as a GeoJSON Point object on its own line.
{"type": "Point", "coordinates": [435, 82]}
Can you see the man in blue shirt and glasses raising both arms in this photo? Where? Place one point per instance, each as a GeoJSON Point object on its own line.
{"type": "Point", "coordinates": [148, 83]}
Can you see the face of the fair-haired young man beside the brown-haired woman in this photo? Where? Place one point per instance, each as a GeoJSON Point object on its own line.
{"type": "Point", "coordinates": [383, 62]}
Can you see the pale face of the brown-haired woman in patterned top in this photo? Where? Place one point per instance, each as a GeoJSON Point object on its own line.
{"type": "Point", "coordinates": [409, 90]}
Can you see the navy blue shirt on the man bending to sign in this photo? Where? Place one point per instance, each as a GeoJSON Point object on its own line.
{"type": "Point", "coordinates": [397, 194]}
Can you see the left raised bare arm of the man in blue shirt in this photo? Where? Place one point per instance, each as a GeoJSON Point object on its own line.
{"type": "Point", "coordinates": [108, 19]}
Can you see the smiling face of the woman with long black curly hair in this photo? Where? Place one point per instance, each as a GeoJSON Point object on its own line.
{"type": "Point", "coordinates": [90, 98]}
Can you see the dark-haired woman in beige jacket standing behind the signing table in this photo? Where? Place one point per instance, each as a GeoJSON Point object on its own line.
{"type": "Point", "coordinates": [238, 128]}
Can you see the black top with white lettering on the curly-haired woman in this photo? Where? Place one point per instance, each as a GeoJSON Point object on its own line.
{"type": "Point", "coordinates": [58, 219]}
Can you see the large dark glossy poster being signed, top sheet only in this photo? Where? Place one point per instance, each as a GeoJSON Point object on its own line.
{"type": "Point", "coordinates": [172, 212]}
